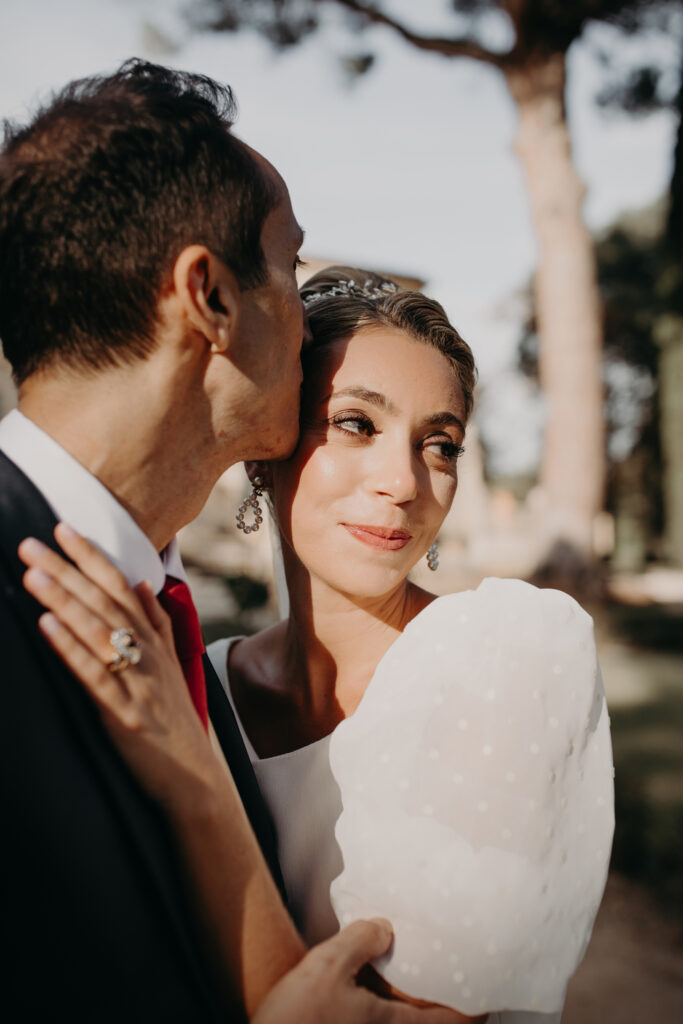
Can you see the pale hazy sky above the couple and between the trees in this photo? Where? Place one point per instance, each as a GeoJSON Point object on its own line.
{"type": "Point", "coordinates": [409, 169]}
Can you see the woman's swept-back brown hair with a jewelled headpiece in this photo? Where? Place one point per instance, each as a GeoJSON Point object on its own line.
{"type": "Point", "coordinates": [341, 301]}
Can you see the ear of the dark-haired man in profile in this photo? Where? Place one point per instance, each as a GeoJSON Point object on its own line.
{"type": "Point", "coordinates": [208, 293]}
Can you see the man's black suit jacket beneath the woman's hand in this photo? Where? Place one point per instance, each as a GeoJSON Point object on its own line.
{"type": "Point", "coordinates": [95, 909]}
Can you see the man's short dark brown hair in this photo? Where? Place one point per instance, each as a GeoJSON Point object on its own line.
{"type": "Point", "coordinates": [99, 196]}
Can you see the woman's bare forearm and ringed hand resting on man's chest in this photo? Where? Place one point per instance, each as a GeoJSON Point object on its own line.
{"type": "Point", "coordinates": [151, 718]}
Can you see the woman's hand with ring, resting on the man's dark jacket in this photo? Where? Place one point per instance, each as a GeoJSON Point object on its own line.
{"type": "Point", "coordinates": [147, 707]}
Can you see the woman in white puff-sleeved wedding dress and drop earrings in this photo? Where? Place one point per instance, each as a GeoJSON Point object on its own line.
{"type": "Point", "coordinates": [365, 654]}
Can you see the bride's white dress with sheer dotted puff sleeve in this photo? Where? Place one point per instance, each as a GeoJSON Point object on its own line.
{"type": "Point", "coordinates": [469, 800]}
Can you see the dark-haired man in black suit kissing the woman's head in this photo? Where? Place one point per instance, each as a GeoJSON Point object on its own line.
{"type": "Point", "coordinates": [151, 316]}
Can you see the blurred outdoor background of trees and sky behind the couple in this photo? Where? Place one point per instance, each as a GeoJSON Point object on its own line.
{"type": "Point", "coordinates": [523, 162]}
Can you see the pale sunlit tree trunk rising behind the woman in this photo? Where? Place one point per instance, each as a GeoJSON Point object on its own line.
{"type": "Point", "coordinates": [569, 313]}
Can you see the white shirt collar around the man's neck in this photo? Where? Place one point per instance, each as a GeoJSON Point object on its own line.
{"type": "Point", "coordinates": [79, 499]}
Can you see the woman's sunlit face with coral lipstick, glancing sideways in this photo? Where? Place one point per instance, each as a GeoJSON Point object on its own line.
{"type": "Point", "coordinates": [375, 473]}
